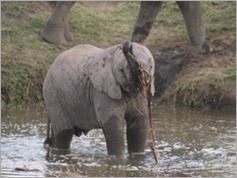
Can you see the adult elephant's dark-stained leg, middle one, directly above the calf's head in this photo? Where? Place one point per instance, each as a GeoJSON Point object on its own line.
{"type": "Point", "coordinates": [146, 17]}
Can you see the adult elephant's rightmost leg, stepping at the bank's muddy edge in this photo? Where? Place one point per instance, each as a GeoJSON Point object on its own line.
{"type": "Point", "coordinates": [195, 27]}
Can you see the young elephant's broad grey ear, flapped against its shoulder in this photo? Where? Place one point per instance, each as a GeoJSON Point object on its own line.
{"type": "Point", "coordinates": [102, 76]}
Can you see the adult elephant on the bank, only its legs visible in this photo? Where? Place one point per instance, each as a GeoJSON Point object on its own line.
{"type": "Point", "coordinates": [56, 29]}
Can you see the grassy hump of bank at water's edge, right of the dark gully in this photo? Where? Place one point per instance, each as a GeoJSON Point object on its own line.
{"type": "Point", "coordinates": [204, 87]}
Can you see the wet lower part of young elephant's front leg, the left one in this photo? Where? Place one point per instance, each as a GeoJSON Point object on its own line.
{"type": "Point", "coordinates": [114, 134]}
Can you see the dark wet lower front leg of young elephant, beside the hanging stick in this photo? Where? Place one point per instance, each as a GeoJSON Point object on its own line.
{"type": "Point", "coordinates": [137, 130]}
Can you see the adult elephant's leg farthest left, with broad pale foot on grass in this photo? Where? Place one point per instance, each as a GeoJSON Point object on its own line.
{"type": "Point", "coordinates": [56, 29]}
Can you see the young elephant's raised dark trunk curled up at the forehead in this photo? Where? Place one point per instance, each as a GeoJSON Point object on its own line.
{"type": "Point", "coordinates": [134, 66]}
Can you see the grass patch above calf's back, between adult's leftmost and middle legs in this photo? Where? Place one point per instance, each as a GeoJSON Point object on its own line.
{"type": "Point", "coordinates": [103, 27]}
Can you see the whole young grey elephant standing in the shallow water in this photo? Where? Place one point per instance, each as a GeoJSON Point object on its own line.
{"type": "Point", "coordinates": [88, 87]}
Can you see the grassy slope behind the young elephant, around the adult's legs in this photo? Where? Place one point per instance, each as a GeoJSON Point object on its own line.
{"type": "Point", "coordinates": [26, 57]}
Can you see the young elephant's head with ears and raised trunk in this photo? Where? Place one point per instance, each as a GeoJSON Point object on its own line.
{"type": "Point", "coordinates": [125, 68]}
